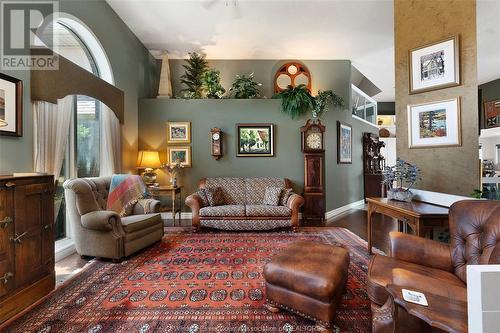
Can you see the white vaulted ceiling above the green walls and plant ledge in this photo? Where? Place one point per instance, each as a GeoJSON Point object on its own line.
{"type": "Point", "coordinates": [360, 30]}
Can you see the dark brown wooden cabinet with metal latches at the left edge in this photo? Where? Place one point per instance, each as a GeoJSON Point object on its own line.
{"type": "Point", "coordinates": [26, 242]}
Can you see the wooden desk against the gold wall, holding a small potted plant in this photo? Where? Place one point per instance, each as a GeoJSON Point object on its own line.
{"type": "Point", "coordinates": [420, 216]}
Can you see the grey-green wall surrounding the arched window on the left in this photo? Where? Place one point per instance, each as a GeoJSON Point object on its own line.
{"type": "Point", "coordinates": [135, 72]}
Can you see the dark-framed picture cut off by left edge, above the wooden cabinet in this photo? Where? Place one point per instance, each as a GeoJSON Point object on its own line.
{"type": "Point", "coordinates": [11, 106]}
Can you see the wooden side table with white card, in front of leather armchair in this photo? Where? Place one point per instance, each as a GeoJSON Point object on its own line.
{"type": "Point", "coordinates": [445, 313]}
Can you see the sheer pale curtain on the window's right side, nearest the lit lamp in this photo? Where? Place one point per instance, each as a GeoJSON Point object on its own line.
{"type": "Point", "coordinates": [110, 150]}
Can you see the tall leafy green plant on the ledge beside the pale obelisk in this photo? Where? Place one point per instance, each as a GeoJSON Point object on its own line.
{"type": "Point", "coordinates": [195, 67]}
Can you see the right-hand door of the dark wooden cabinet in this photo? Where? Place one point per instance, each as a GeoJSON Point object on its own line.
{"type": "Point", "coordinates": [28, 233]}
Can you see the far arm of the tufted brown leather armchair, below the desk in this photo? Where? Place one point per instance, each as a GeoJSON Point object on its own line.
{"type": "Point", "coordinates": [421, 251]}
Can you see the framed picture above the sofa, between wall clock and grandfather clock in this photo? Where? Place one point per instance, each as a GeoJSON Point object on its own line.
{"type": "Point", "coordinates": [255, 140]}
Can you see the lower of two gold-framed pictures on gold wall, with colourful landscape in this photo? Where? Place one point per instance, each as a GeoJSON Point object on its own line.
{"type": "Point", "coordinates": [434, 124]}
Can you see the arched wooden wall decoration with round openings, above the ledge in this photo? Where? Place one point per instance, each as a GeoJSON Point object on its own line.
{"type": "Point", "coordinates": [292, 73]}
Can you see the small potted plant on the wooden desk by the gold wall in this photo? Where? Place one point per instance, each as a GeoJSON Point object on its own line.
{"type": "Point", "coordinates": [400, 179]}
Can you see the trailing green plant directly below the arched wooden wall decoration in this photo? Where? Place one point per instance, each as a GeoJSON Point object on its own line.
{"type": "Point", "coordinates": [295, 101]}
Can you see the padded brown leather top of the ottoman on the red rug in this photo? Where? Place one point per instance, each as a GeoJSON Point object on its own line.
{"type": "Point", "coordinates": [312, 269]}
